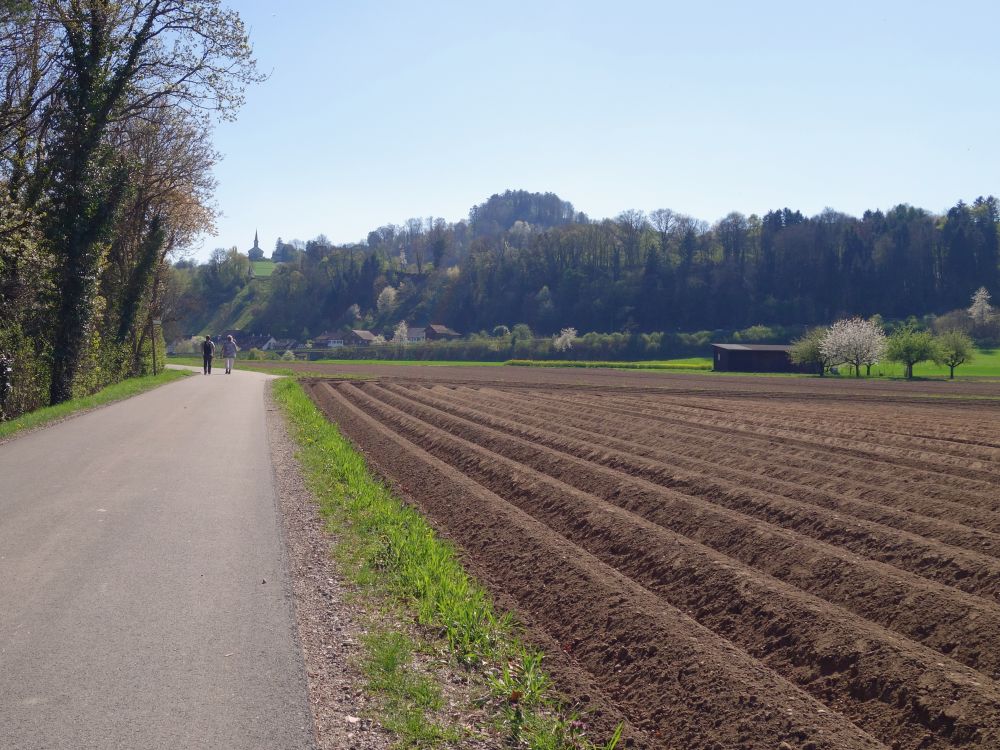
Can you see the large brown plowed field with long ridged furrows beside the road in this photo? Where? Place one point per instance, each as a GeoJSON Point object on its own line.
{"type": "Point", "coordinates": [718, 567]}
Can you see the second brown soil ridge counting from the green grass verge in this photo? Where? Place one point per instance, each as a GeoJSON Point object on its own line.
{"type": "Point", "coordinates": [760, 614]}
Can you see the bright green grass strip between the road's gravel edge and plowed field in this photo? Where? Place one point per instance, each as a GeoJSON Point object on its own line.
{"type": "Point", "coordinates": [396, 558]}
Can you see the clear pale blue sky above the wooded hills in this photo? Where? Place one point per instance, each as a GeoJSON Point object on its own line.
{"type": "Point", "coordinates": [379, 111]}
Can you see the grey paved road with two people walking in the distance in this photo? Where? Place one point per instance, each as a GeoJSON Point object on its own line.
{"type": "Point", "coordinates": [135, 542]}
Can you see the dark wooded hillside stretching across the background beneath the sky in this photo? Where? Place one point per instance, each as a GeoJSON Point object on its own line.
{"type": "Point", "coordinates": [532, 259]}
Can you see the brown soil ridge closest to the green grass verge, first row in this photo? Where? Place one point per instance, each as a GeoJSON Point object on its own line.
{"type": "Point", "coordinates": [646, 655]}
